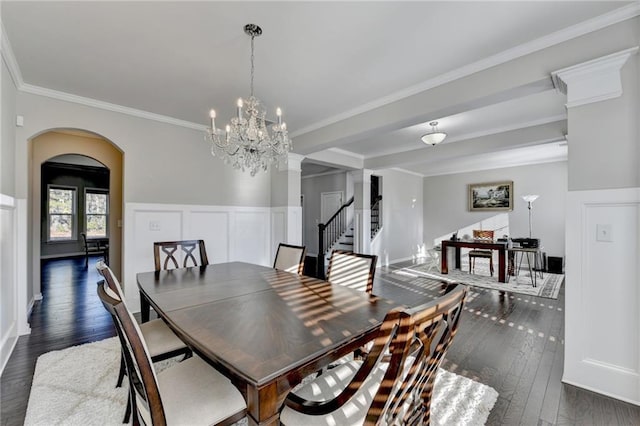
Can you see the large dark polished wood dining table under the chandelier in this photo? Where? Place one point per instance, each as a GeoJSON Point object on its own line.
{"type": "Point", "coordinates": [265, 329]}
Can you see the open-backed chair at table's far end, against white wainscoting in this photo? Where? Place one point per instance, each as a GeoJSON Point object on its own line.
{"type": "Point", "coordinates": [179, 253]}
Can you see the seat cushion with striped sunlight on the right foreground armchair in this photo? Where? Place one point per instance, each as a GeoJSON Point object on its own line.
{"type": "Point", "coordinates": [329, 385]}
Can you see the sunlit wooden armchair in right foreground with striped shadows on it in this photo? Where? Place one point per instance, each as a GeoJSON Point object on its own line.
{"type": "Point", "coordinates": [375, 392]}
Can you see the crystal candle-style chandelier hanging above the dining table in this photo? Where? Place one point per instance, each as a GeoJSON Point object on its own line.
{"type": "Point", "coordinates": [250, 141]}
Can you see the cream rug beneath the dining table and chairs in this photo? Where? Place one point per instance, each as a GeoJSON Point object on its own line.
{"type": "Point", "coordinates": [76, 386]}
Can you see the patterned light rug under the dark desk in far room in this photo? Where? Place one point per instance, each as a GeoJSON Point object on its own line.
{"type": "Point", "coordinates": [548, 286]}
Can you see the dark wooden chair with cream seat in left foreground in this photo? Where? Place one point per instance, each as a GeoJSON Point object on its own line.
{"type": "Point", "coordinates": [190, 392]}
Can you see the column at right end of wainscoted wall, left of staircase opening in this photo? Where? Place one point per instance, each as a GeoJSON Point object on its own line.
{"type": "Point", "coordinates": [286, 211]}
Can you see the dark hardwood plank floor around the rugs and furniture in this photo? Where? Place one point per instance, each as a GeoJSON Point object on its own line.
{"type": "Point", "coordinates": [511, 342]}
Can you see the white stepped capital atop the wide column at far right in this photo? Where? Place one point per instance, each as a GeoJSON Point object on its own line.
{"type": "Point", "coordinates": [592, 81]}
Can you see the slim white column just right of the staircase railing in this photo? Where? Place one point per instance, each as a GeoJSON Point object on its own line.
{"type": "Point", "coordinates": [362, 211]}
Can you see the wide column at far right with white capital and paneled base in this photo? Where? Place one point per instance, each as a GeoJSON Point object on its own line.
{"type": "Point", "coordinates": [602, 331]}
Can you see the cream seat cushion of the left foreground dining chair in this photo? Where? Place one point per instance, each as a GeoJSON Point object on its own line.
{"type": "Point", "coordinates": [194, 393]}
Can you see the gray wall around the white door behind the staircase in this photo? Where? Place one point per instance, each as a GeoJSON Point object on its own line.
{"type": "Point", "coordinates": [311, 189]}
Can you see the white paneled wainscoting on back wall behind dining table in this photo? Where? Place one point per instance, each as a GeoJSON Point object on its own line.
{"type": "Point", "coordinates": [247, 234]}
